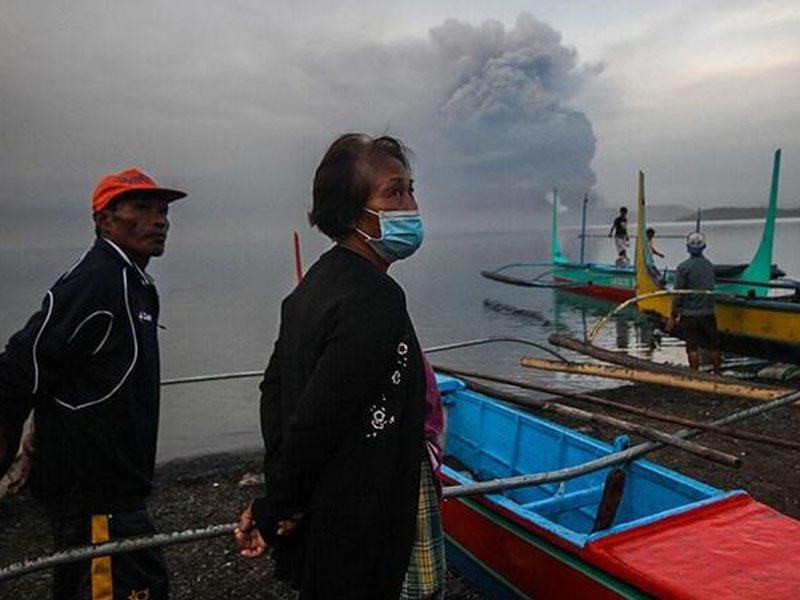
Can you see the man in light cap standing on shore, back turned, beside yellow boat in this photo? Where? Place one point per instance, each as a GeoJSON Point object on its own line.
{"type": "Point", "coordinates": [696, 312]}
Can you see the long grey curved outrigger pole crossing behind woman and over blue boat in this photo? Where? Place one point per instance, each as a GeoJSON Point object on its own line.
{"type": "Point", "coordinates": [484, 487]}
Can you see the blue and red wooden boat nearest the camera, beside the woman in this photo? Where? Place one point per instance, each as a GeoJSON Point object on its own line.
{"type": "Point", "coordinates": [671, 537]}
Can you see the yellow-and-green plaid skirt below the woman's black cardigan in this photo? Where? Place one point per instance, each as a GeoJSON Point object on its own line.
{"type": "Point", "coordinates": [425, 577]}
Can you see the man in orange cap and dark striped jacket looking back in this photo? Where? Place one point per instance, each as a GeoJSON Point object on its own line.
{"type": "Point", "coordinates": [88, 363]}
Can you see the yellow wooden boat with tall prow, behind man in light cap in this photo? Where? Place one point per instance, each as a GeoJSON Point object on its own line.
{"type": "Point", "coordinates": [749, 324]}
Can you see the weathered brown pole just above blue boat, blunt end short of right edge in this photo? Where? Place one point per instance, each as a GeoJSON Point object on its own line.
{"type": "Point", "coordinates": [647, 432]}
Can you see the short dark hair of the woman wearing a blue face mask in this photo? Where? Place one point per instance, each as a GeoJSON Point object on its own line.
{"type": "Point", "coordinates": [343, 181]}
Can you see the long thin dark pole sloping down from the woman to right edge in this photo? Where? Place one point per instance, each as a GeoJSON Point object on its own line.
{"type": "Point", "coordinates": [644, 412]}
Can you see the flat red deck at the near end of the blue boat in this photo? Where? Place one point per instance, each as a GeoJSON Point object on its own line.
{"type": "Point", "coordinates": [735, 548]}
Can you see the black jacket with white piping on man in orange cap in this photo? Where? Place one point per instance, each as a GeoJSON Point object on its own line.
{"type": "Point", "coordinates": [88, 363]}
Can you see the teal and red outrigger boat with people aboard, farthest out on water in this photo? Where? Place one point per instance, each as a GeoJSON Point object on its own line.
{"type": "Point", "coordinates": [617, 283]}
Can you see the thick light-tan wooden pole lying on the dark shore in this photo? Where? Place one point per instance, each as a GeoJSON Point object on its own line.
{"type": "Point", "coordinates": [683, 381]}
